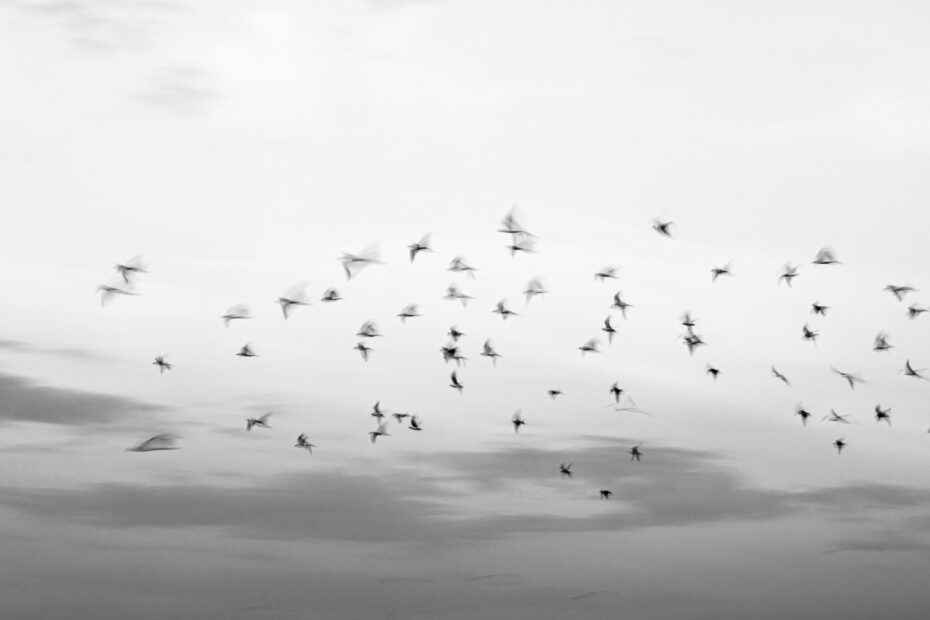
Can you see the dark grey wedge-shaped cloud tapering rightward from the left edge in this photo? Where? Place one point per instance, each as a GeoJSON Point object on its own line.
{"type": "Point", "coordinates": [22, 400]}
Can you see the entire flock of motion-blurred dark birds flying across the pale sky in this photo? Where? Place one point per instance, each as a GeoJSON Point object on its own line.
{"type": "Point", "coordinates": [520, 240]}
